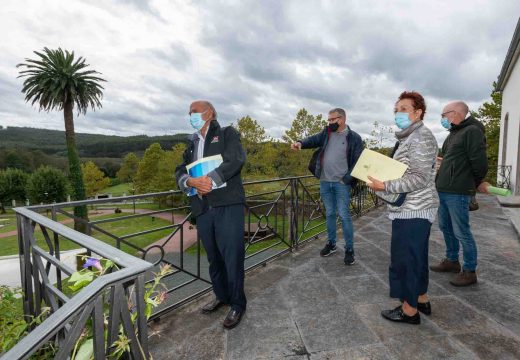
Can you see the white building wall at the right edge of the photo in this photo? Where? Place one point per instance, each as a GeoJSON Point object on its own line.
{"type": "Point", "coordinates": [511, 106]}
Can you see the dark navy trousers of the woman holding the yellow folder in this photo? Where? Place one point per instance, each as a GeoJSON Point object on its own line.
{"type": "Point", "coordinates": [408, 272]}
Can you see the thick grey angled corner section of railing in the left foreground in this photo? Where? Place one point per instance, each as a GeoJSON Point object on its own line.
{"type": "Point", "coordinates": [68, 317]}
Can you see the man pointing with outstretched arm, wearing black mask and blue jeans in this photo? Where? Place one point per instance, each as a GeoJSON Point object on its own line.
{"type": "Point", "coordinates": [340, 150]}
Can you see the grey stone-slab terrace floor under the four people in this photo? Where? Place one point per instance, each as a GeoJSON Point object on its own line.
{"type": "Point", "coordinates": [302, 306]}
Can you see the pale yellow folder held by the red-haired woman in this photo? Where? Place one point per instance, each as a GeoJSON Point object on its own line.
{"type": "Point", "coordinates": [378, 166]}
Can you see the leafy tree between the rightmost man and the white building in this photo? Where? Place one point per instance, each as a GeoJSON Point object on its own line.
{"type": "Point", "coordinates": [489, 114]}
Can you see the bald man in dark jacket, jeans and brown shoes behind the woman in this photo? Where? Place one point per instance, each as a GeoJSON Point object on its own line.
{"type": "Point", "coordinates": [461, 174]}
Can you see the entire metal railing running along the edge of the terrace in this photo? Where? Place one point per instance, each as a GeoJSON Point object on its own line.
{"type": "Point", "coordinates": [281, 215]}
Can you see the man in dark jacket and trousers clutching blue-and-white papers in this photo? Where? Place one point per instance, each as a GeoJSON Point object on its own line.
{"type": "Point", "coordinates": [218, 207]}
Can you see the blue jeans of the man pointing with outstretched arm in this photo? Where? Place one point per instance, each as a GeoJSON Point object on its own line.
{"type": "Point", "coordinates": [336, 195]}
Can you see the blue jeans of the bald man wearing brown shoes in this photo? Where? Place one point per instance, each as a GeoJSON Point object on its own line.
{"type": "Point", "coordinates": [454, 224]}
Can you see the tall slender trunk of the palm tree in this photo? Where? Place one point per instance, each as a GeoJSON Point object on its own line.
{"type": "Point", "coordinates": [76, 177]}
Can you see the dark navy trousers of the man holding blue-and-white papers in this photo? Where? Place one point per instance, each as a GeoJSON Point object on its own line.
{"type": "Point", "coordinates": [221, 230]}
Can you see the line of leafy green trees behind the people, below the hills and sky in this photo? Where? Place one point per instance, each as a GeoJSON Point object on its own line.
{"type": "Point", "coordinates": [153, 171]}
